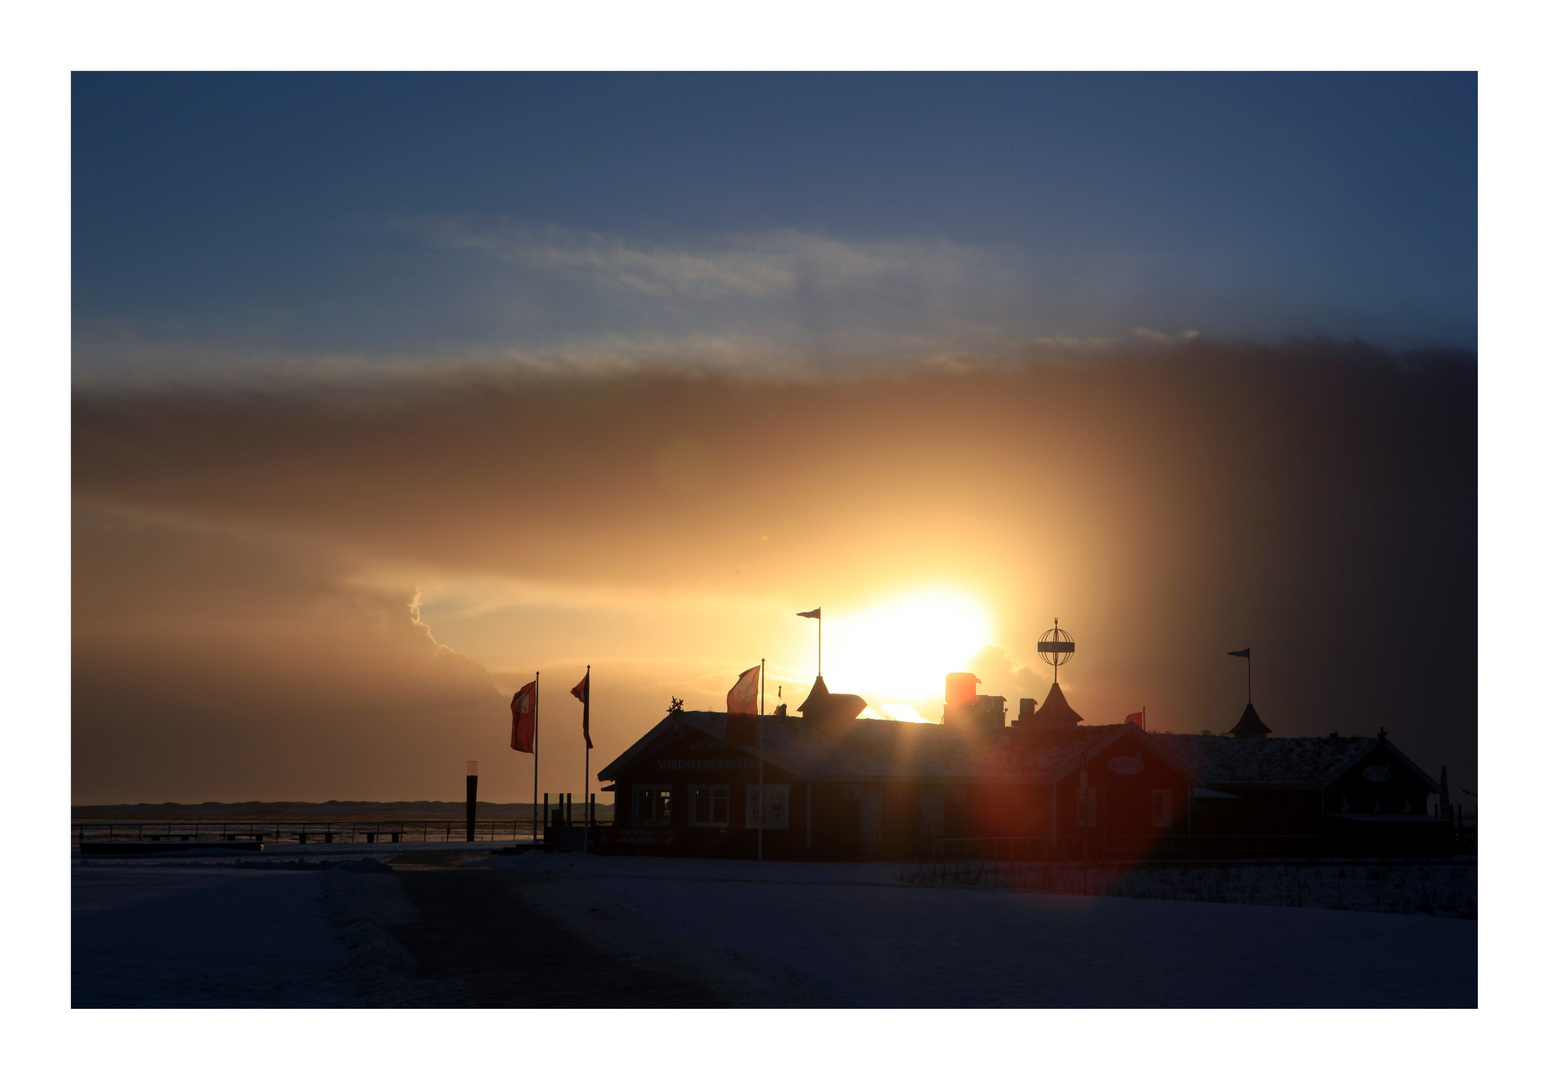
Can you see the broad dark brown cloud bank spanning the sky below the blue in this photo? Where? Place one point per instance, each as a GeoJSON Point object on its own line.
{"type": "Point", "coordinates": [1317, 503]}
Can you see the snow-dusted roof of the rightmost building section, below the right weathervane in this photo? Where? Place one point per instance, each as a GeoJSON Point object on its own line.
{"type": "Point", "coordinates": [1294, 763]}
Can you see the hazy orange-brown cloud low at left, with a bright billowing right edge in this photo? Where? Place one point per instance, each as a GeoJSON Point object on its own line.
{"type": "Point", "coordinates": [205, 666]}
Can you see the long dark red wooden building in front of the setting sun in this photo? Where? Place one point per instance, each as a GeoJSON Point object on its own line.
{"type": "Point", "coordinates": [840, 788]}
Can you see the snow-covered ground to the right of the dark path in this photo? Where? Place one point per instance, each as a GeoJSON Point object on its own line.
{"type": "Point", "coordinates": [853, 935]}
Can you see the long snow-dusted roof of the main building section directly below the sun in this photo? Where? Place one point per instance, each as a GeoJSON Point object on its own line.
{"type": "Point", "coordinates": [890, 749]}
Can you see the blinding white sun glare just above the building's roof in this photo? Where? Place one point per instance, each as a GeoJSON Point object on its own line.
{"type": "Point", "coordinates": [904, 648]}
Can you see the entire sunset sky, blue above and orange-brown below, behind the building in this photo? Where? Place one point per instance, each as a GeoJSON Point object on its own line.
{"type": "Point", "coordinates": [391, 391]}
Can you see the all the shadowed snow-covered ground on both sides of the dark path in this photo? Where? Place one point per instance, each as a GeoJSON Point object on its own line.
{"type": "Point", "coordinates": [224, 932]}
